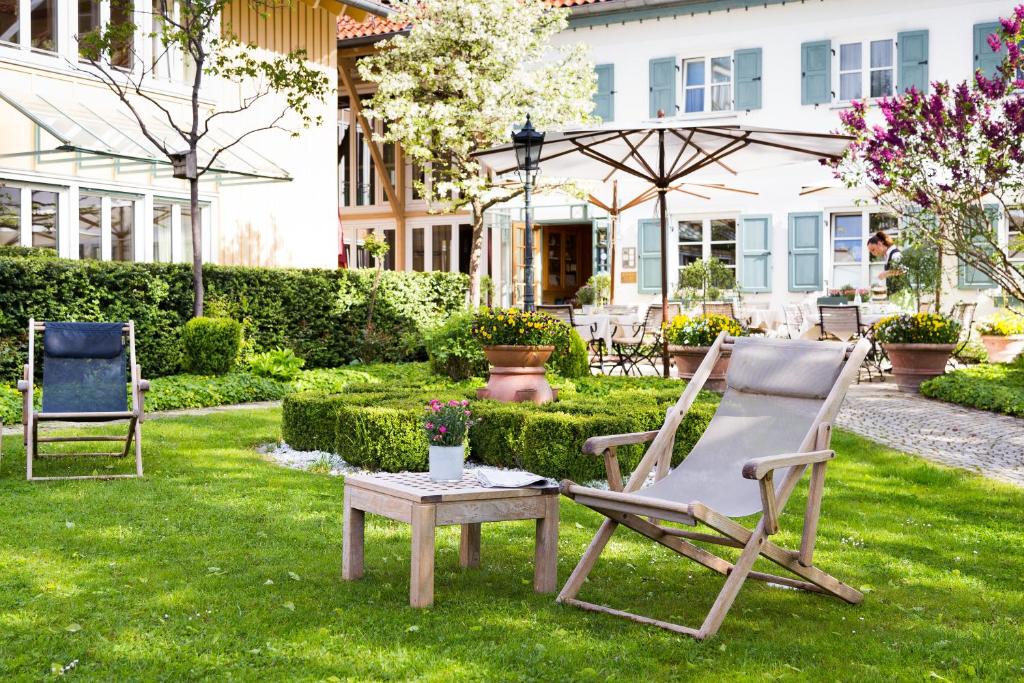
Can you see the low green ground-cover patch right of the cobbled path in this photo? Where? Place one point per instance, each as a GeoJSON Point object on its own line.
{"type": "Point", "coordinates": [996, 388]}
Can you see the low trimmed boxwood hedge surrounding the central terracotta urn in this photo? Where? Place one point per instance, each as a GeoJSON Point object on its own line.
{"type": "Point", "coordinates": [378, 426]}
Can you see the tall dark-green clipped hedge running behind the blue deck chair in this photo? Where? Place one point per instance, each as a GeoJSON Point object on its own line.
{"type": "Point", "coordinates": [321, 315]}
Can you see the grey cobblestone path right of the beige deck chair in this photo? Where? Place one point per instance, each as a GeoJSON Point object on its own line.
{"type": "Point", "coordinates": [987, 443]}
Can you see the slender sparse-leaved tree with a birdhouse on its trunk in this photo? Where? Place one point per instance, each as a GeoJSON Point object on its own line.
{"type": "Point", "coordinates": [194, 33]}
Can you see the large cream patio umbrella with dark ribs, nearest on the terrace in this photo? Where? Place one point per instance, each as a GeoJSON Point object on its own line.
{"type": "Point", "coordinates": [666, 155]}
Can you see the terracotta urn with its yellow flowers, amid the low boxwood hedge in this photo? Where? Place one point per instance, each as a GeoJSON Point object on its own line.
{"type": "Point", "coordinates": [517, 346]}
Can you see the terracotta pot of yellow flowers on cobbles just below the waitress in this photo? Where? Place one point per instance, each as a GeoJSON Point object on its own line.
{"type": "Point", "coordinates": [918, 346]}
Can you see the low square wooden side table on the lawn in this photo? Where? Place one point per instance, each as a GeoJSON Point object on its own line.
{"type": "Point", "coordinates": [413, 498]}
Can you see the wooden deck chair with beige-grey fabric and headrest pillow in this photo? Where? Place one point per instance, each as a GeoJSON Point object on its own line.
{"type": "Point", "coordinates": [775, 421]}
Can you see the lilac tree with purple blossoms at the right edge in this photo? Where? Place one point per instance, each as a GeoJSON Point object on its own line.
{"type": "Point", "coordinates": [943, 160]}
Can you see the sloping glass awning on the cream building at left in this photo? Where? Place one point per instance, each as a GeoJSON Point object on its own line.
{"type": "Point", "coordinates": [103, 130]}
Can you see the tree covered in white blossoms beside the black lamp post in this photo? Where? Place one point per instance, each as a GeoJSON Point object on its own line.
{"type": "Point", "coordinates": [466, 73]}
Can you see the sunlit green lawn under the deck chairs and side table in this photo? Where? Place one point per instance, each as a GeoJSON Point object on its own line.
{"type": "Point", "coordinates": [169, 579]}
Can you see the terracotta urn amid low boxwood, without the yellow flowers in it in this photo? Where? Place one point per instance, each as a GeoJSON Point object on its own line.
{"type": "Point", "coordinates": [518, 374]}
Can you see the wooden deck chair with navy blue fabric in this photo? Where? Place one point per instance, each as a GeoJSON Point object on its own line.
{"type": "Point", "coordinates": [84, 380]}
